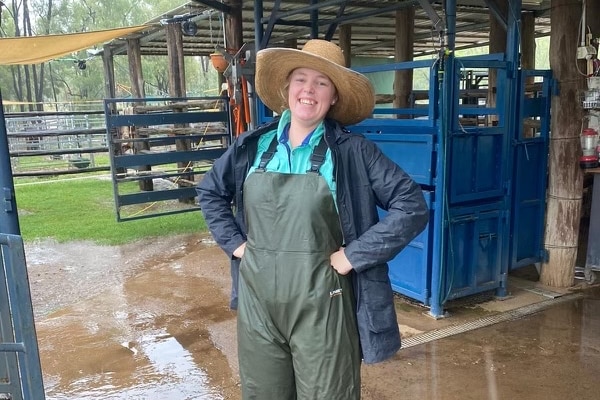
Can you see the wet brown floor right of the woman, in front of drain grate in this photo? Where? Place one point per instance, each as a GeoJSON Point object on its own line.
{"type": "Point", "coordinates": [552, 354]}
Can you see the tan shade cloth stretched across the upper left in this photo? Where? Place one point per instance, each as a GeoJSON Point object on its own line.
{"type": "Point", "coordinates": [27, 50]}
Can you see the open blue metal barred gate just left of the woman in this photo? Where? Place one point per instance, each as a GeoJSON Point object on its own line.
{"type": "Point", "coordinates": [163, 145]}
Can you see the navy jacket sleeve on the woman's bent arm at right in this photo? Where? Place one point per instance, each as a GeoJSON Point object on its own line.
{"type": "Point", "coordinates": [393, 190]}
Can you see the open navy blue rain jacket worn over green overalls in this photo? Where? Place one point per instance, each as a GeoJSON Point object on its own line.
{"type": "Point", "coordinates": [366, 179]}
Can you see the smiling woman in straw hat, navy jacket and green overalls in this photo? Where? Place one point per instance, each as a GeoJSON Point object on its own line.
{"type": "Point", "coordinates": [314, 292]}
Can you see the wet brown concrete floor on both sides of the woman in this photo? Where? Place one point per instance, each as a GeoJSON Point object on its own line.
{"type": "Point", "coordinates": [150, 321]}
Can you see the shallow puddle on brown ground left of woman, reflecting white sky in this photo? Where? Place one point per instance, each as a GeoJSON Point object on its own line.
{"type": "Point", "coordinates": [151, 328]}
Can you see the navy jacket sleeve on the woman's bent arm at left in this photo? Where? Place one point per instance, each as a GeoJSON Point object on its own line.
{"type": "Point", "coordinates": [216, 192]}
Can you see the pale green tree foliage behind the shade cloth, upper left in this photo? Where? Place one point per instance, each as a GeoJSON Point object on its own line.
{"type": "Point", "coordinates": [61, 80]}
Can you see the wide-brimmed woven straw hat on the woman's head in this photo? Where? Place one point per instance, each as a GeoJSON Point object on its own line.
{"type": "Point", "coordinates": [356, 97]}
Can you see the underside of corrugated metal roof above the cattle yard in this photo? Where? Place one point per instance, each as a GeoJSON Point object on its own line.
{"type": "Point", "coordinates": [372, 24]}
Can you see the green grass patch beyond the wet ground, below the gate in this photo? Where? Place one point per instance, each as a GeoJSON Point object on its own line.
{"type": "Point", "coordinates": [84, 209]}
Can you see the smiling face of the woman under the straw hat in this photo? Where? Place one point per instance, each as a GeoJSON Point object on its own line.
{"type": "Point", "coordinates": [310, 95]}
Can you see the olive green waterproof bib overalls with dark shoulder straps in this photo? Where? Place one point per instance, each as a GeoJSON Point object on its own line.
{"type": "Point", "coordinates": [297, 335]}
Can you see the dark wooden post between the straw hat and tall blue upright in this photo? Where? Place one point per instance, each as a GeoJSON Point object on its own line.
{"type": "Point", "coordinates": [404, 46]}
